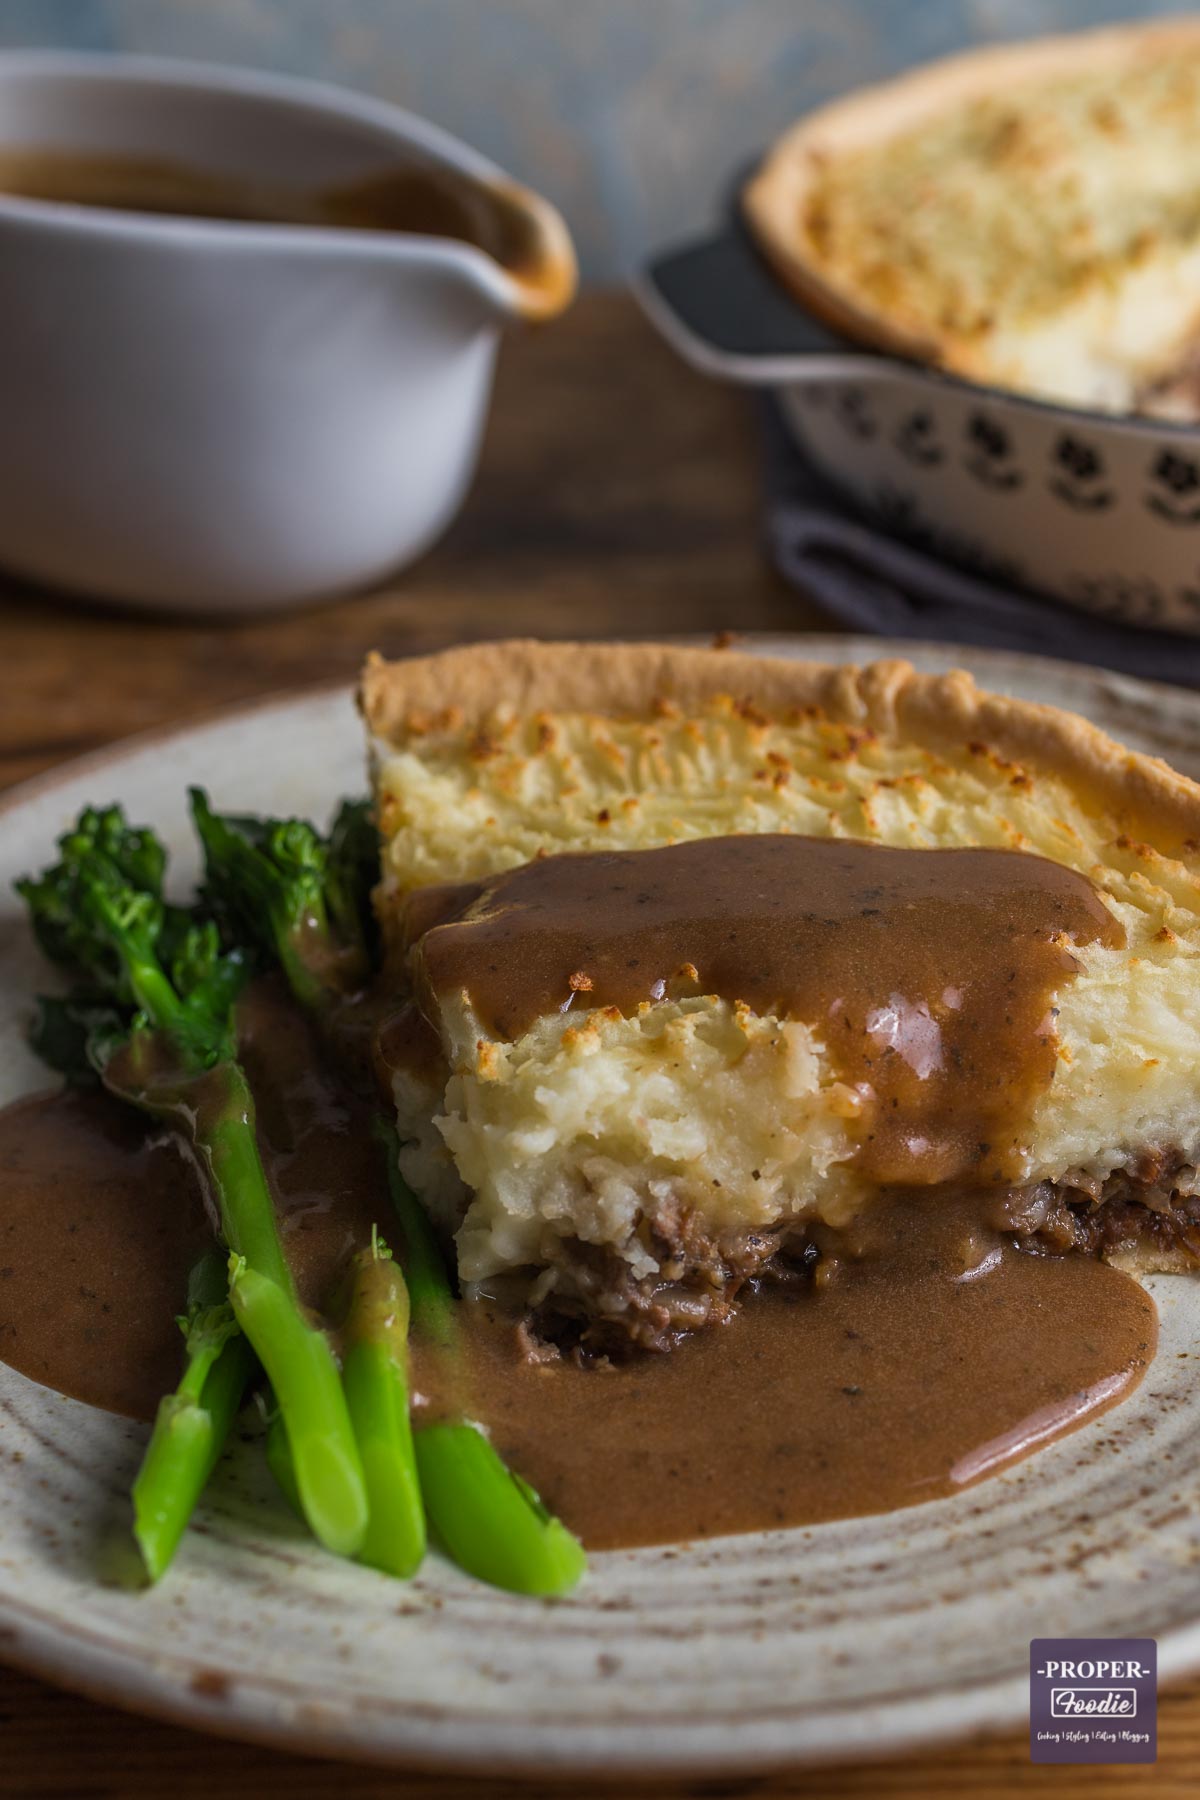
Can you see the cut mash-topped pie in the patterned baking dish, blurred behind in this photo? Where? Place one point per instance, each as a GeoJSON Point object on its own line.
{"type": "Point", "coordinates": [1026, 217]}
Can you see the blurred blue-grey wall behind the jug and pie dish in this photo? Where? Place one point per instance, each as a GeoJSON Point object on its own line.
{"type": "Point", "coordinates": [627, 112]}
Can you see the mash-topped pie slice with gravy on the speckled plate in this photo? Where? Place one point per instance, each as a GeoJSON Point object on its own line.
{"type": "Point", "coordinates": [699, 955]}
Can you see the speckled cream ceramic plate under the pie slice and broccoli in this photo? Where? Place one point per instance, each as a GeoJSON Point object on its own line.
{"type": "Point", "coordinates": [798, 1646]}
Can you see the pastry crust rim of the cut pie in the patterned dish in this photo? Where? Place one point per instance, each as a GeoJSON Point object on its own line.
{"type": "Point", "coordinates": [776, 195]}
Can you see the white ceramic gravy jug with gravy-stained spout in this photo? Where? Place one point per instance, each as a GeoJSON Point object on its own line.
{"type": "Point", "coordinates": [235, 413]}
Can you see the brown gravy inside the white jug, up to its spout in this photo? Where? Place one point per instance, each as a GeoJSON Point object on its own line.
{"type": "Point", "coordinates": [422, 202]}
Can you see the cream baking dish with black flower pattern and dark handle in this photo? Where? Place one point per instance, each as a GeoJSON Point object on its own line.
{"type": "Point", "coordinates": [1091, 508]}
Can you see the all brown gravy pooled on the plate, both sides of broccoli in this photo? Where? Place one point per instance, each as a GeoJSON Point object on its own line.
{"type": "Point", "coordinates": [931, 1354]}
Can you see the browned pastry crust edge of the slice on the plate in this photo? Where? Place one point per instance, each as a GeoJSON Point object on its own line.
{"type": "Point", "coordinates": [461, 688]}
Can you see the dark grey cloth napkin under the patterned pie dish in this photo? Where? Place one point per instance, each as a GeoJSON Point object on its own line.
{"type": "Point", "coordinates": [875, 584]}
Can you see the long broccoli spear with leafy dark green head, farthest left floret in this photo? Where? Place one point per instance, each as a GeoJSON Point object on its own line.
{"type": "Point", "coordinates": [165, 1041]}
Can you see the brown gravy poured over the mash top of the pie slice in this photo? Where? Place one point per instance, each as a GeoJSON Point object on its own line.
{"type": "Point", "coordinates": [931, 975]}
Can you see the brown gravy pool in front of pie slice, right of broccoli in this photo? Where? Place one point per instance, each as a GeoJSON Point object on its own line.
{"type": "Point", "coordinates": [908, 1376]}
